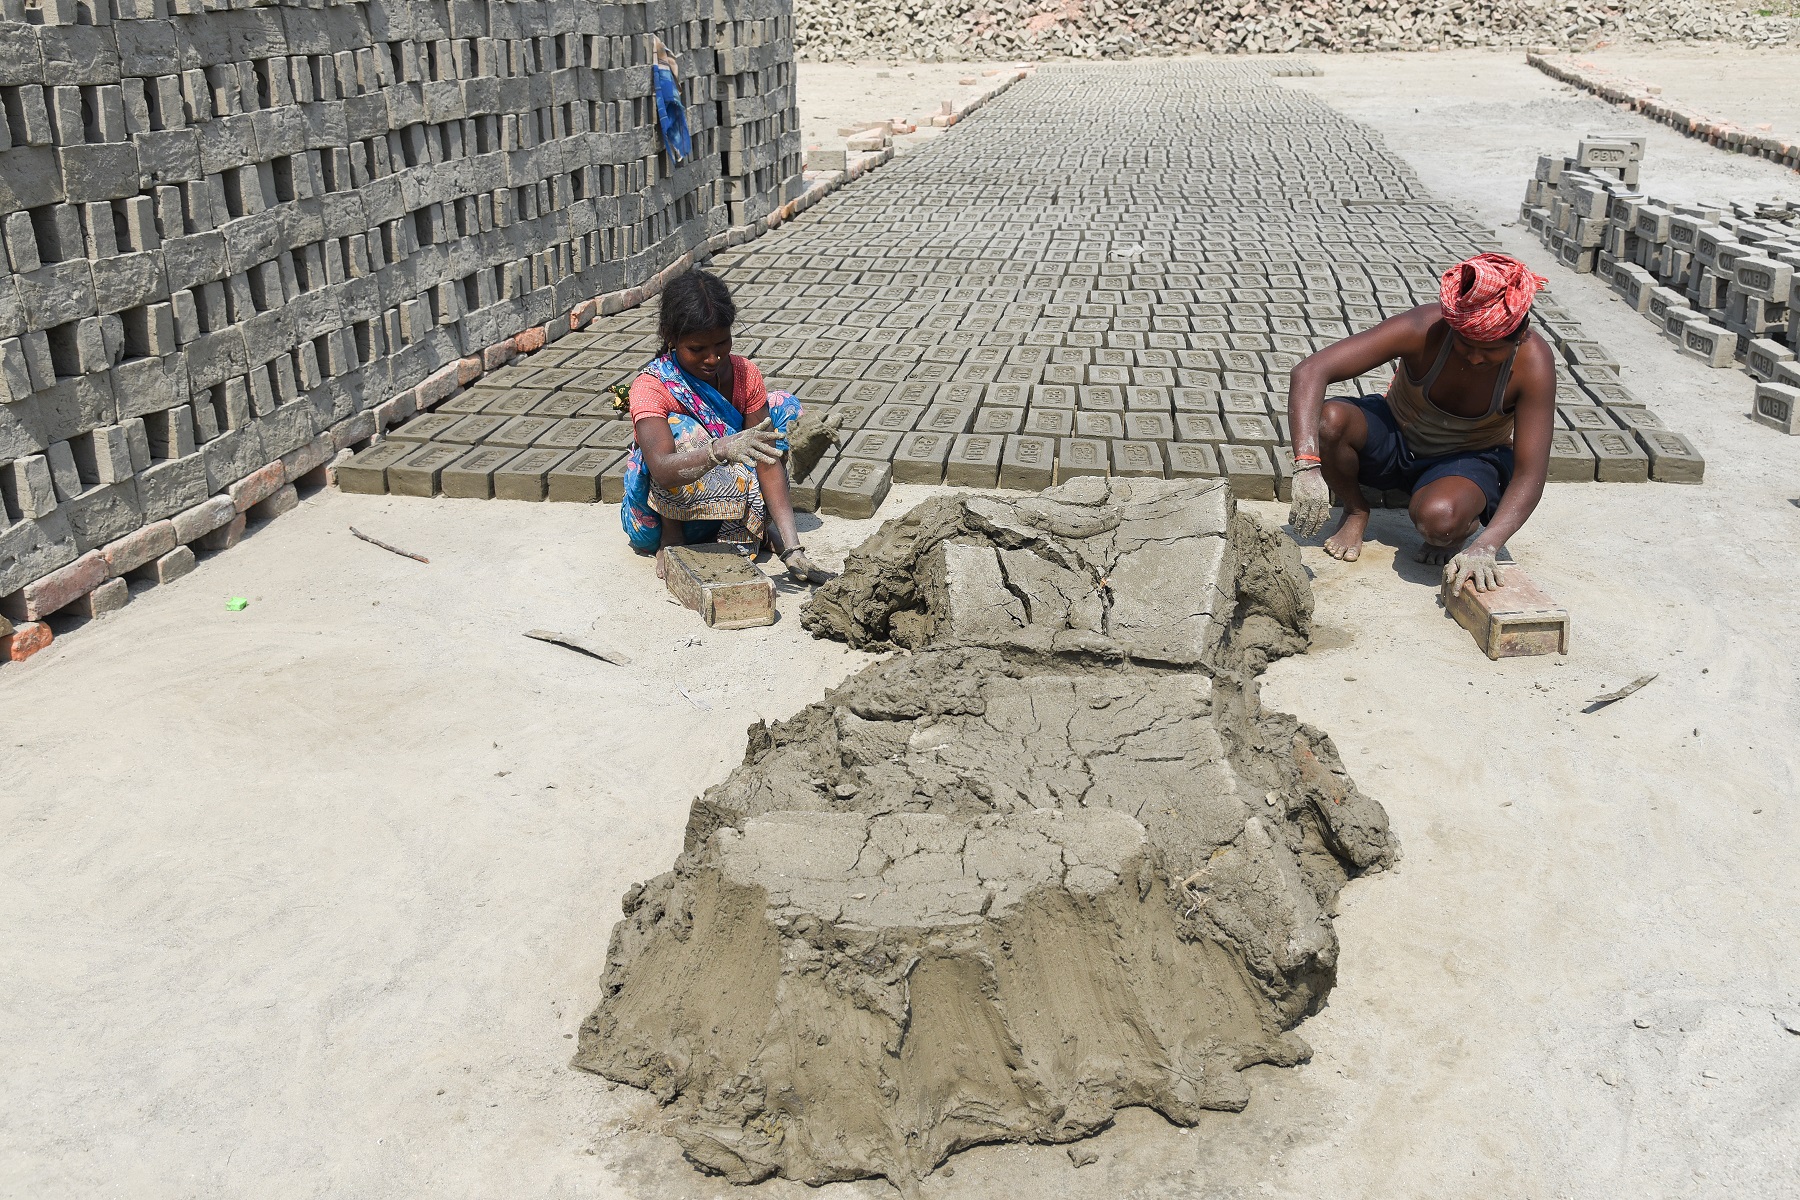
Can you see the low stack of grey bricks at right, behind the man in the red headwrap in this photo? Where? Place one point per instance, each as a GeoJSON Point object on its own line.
{"type": "Point", "coordinates": [1722, 283]}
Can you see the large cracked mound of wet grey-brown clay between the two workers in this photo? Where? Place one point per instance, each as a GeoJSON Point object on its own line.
{"type": "Point", "coordinates": [1052, 863]}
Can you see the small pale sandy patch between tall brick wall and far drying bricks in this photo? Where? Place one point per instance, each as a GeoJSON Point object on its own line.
{"type": "Point", "coordinates": [836, 96]}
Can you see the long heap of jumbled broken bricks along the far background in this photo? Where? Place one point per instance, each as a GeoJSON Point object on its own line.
{"type": "Point", "coordinates": [948, 30]}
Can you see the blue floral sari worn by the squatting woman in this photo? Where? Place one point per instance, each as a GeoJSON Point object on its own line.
{"type": "Point", "coordinates": [726, 505]}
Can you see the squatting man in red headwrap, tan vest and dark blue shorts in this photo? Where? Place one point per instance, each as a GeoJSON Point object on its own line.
{"type": "Point", "coordinates": [1464, 427]}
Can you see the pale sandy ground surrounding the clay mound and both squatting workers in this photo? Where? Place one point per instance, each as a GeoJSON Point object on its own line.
{"type": "Point", "coordinates": [307, 900]}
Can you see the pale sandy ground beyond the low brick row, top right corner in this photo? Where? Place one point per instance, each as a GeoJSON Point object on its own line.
{"type": "Point", "coordinates": [1750, 89]}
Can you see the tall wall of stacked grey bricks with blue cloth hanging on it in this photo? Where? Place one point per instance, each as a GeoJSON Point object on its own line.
{"type": "Point", "coordinates": [235, 233]}
